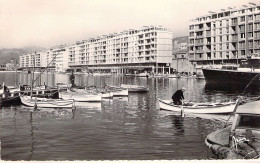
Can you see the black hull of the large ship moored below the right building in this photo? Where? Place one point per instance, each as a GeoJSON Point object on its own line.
{"type": "Point", "coordinates": [224, 77]}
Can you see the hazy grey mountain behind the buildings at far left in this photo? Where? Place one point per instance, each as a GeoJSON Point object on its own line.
{"type": "Point", "coordinates": [7, 54]}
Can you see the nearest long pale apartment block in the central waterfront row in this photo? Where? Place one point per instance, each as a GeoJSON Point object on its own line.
{"type": "Point", "coordinates": [149, 48]}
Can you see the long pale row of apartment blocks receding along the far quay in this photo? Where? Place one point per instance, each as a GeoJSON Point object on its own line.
{"type": "Point", "coordinates": [145, 49]}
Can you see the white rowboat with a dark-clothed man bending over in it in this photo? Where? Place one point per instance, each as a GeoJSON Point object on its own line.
{"type": "Point", "coordinates": [199, 108]}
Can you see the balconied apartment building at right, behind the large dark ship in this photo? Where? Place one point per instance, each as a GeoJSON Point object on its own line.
{"type": "Point", "coordinates": [227, 36]}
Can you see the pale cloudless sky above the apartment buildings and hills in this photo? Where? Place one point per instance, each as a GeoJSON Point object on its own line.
{"type": "Point", "coordinates": [48, 23]}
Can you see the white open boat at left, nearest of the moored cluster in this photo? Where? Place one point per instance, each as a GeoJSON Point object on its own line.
{"type": "Point", "coordinates": [46, 103]}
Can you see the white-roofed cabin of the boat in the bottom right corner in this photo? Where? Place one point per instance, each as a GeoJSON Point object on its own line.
{"type": "Point", "coordinates": [246, 125]}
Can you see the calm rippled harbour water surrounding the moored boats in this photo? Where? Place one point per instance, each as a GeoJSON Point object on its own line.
{"type": "Point", "coordinates": [128, 128]}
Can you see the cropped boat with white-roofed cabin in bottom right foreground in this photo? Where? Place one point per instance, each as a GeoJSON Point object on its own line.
{"type": "Point", "coordinates": [241, 139]}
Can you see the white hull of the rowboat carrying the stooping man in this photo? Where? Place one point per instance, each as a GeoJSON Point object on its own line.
{"type": "Point", "coordinates": [224, 109]}
